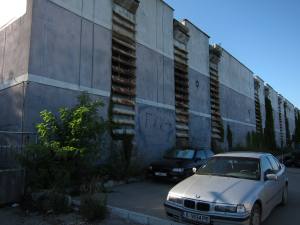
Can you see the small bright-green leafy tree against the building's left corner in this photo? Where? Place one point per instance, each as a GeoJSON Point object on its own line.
{"type": "Point", "coordinates": [70, 144]}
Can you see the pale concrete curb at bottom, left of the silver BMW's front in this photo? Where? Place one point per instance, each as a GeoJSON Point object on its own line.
{"type": "Point", "coordinates": [139, 217]}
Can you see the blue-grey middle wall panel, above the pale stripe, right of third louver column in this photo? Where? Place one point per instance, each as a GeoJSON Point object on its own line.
{"type": "Point", "coordinates": [236, 106]}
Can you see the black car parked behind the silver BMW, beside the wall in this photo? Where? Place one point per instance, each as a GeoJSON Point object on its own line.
{"type": "Point", "coordinates": [179, 164]}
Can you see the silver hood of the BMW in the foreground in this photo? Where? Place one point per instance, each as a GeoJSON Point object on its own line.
{"type": "Point", "coordinates": [216, 189]}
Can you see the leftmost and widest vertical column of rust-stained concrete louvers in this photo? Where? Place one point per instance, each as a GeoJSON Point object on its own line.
{"type": "Point", "coordinates": [123, 88]}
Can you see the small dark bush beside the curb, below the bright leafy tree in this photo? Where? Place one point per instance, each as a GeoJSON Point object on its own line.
{"type": "Point", "coordinates": [93, 206]}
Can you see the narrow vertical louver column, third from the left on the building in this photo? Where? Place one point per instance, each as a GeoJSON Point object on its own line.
{"type": "Point", "coordinates": [215, 53]}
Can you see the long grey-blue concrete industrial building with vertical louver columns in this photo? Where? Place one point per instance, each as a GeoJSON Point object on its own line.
{"type": "Point", "coordinates": [167, 85]}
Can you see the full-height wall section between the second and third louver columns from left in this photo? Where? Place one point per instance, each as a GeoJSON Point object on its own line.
{"type": "Point", "coordinates": [199, 87]}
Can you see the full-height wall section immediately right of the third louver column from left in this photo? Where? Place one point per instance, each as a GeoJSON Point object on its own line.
{"type": "Point", "coordinates": [236, 98]}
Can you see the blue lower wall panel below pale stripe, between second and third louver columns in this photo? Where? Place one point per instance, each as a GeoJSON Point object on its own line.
{"type": "Point", "coordinates": [199, 132]}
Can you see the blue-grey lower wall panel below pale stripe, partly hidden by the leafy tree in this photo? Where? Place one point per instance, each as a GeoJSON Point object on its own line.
{"type": "Point", "coordinates": [40, 97]}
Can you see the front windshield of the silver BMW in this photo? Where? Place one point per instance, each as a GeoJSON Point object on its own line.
{"type": "Point", "coordinates": [237, 167]}
